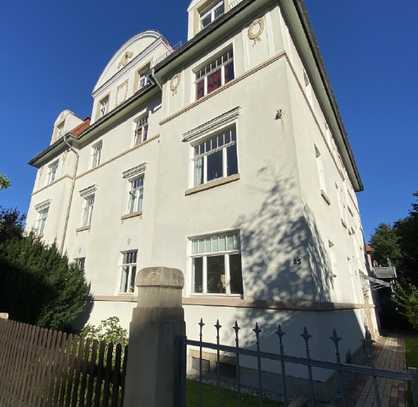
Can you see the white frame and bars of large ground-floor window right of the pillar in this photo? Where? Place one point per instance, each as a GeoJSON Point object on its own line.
{"type": "Point", "coordinates": [205, 255]}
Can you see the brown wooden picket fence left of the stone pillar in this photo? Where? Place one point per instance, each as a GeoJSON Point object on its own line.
{"type": "Point", "coordinates": [47, 368]}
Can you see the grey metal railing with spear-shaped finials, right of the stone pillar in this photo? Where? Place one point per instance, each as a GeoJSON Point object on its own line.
{"type": "Point", "coordinates": [341, 370]}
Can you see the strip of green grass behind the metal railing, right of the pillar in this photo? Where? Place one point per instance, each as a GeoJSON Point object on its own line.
{"type": "Point", "coordinates": [228, 398]}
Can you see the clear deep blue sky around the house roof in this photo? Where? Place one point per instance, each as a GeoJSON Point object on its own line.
{"type": "Point", "coordinates": [53, 53]}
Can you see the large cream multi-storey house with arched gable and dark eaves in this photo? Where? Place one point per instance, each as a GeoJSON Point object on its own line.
{"type": "Point", "coordinates": [226, 158]}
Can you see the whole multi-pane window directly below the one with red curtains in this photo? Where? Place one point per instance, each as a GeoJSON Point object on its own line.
{"type": "Point", "coordinates": [216, 157]}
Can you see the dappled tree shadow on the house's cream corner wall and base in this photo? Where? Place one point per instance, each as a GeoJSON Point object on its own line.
{"type": "Point", "coordinates": [285, 262]}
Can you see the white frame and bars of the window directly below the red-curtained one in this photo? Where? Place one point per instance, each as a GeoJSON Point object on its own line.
{"type": "Point", "coordinates": [229, 131]}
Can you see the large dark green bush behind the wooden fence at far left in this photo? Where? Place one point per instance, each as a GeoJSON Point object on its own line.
{"type": "Point", "coordinates": [37, 283]}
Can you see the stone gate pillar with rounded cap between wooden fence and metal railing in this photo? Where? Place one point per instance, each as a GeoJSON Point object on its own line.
{"type": "Point", "coordinates": [154, 355]}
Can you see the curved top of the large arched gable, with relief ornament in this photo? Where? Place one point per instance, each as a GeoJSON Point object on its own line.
{"type": "Point", "coordinates": [127, 52]}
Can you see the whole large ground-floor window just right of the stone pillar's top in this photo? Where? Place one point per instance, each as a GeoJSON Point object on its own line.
{"type": "Point", "coordinates": [216, 262]}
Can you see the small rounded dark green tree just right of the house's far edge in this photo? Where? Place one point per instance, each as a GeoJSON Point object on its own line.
{"type": "Point", "coordinates": [385, 242]}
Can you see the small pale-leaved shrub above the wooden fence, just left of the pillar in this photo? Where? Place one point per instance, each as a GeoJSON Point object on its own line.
{"type": "Point", "coordinates": [108, 330]}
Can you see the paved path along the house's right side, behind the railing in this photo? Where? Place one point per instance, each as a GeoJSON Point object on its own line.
{"type": "Point", "coordinates": [390, 355]}
